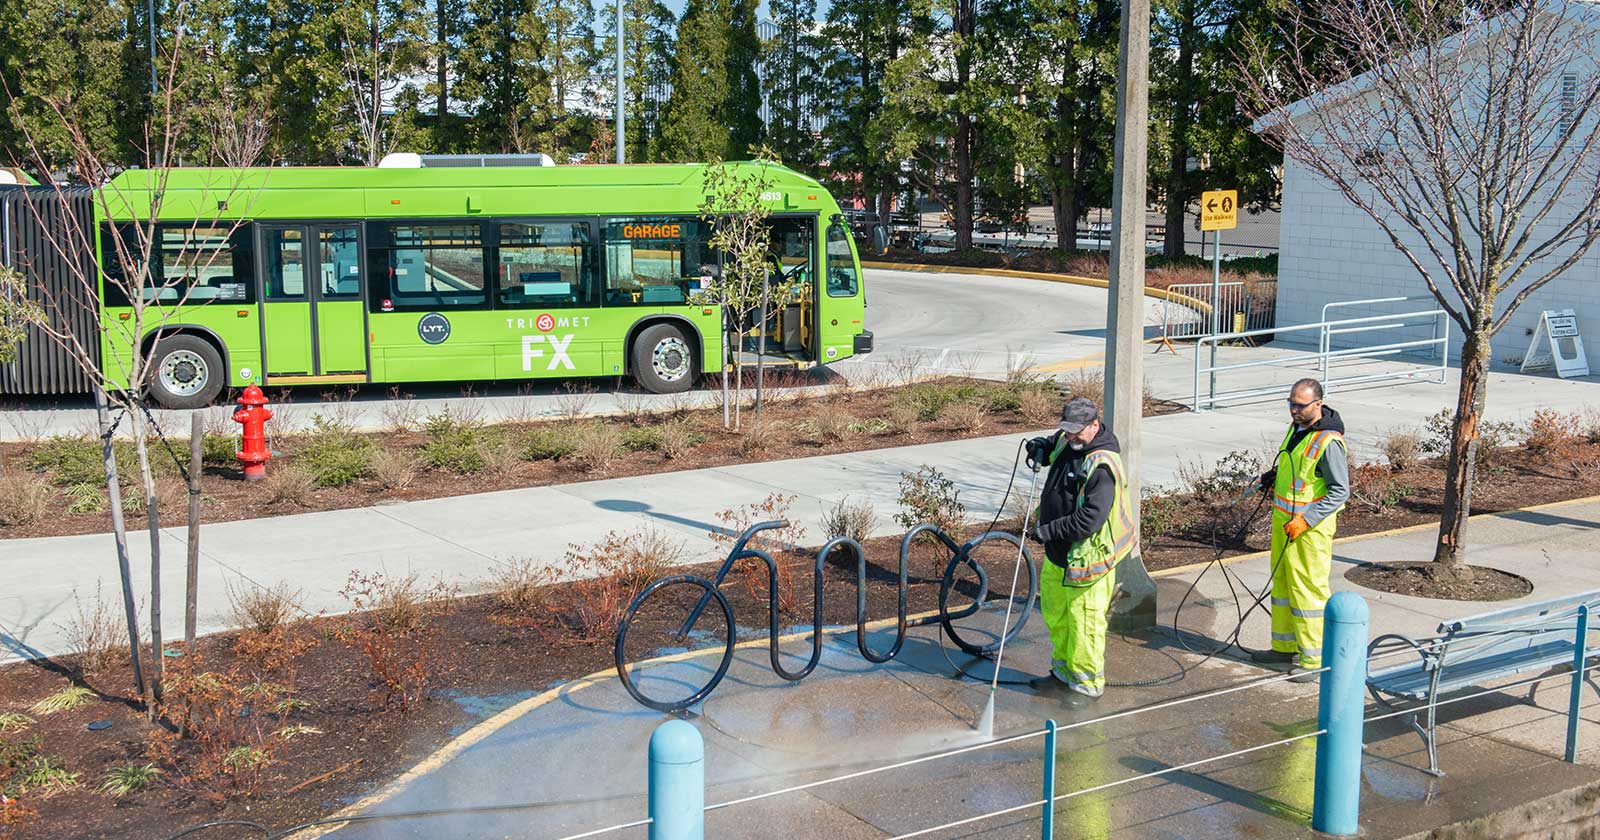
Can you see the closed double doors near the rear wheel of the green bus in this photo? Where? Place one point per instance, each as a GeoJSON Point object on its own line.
{"type": "Point", "coordinates": [314, 321]}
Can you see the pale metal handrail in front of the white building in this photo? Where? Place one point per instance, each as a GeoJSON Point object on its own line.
{"type": "Point", "coordinates": [1326, 354]}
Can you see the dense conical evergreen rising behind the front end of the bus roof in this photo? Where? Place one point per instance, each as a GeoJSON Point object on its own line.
{"type": "Point", "coordinates": [694, 126]}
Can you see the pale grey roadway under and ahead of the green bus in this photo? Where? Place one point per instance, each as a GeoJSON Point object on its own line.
{"type": "Point", "coordinates": [922, 322]}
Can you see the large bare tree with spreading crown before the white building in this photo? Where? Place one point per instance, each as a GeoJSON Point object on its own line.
{"type": "Point", "coordinates": [1466, 134]}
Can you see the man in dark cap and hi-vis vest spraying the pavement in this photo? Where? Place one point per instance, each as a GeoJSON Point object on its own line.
{"type": "Point", "coordinates": [1087, 529]}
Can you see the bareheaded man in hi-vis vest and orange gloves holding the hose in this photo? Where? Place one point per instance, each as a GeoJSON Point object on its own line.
{"type": "Point", "coordinates": [1310, 486]}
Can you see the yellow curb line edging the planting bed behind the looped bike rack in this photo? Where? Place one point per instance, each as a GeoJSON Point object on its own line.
{"type": "Point", "coordinates": [506, 718]}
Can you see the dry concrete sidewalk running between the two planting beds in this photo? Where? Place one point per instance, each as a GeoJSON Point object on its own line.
{"type": "Point", "coordinates": [460, 540]}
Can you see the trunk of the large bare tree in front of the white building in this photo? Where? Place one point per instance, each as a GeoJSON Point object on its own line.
{"type": "Point", "coordinates": [1450, 554]}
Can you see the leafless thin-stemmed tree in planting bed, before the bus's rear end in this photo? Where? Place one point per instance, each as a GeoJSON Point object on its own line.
{"type": "Point", "coordinates": [148, 266]}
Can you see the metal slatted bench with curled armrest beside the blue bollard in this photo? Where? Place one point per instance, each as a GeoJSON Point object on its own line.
{"type": "Point", "coordinates": [1530, 639]}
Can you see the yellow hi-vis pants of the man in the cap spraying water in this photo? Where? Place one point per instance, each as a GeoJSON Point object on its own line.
{"type": "Point", "coordinates": [1076, 617]}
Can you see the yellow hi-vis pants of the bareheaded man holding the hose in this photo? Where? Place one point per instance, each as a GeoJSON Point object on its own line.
{"type": "Point", "coordinates": [1300, 588]}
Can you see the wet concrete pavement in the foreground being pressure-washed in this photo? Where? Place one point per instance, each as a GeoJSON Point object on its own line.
{"type": "Point", "coordinates": [766, 735]}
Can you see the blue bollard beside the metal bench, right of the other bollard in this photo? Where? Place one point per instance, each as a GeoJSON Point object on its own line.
{"type": "Point", "coordinates": [1340, 714]}
